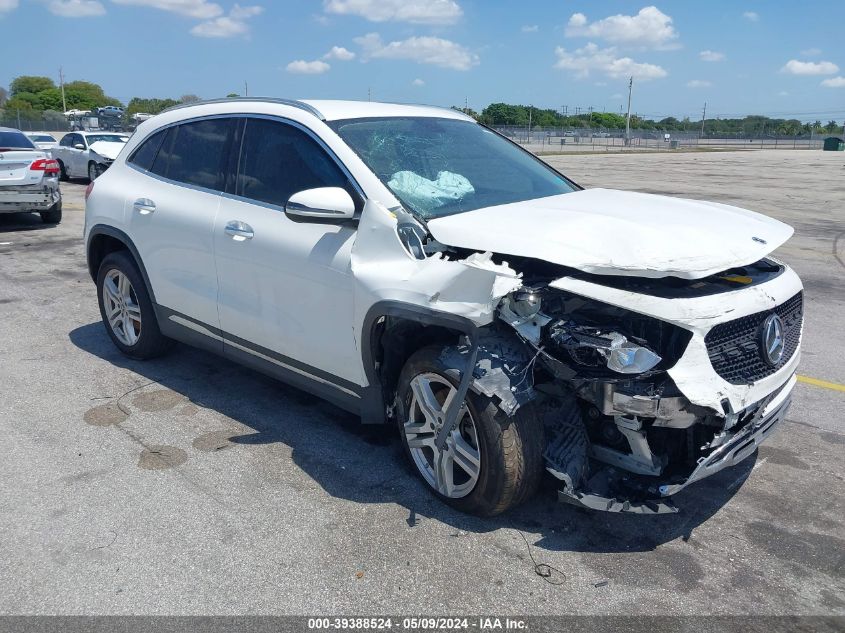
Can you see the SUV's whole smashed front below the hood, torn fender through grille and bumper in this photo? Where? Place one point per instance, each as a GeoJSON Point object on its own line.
{"type": "Point", "coordinates": [644, 385]}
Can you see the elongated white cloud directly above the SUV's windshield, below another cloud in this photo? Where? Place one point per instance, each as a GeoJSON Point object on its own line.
{"type": "Point", "coordinates": [422, 50]}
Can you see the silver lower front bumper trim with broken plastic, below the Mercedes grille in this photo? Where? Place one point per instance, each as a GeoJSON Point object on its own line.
{"type": "Point", "coordinates": [761, 419]}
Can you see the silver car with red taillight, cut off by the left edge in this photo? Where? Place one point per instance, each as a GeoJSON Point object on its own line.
{"type": "Point", "coordinates": [29, 178]}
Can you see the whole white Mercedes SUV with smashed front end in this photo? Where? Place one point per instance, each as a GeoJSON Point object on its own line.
{"type": "Point", "coordinates": [415, 267]}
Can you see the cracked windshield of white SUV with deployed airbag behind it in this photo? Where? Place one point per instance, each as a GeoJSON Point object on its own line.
{"type": "Point", "coordinates": [439, 167]}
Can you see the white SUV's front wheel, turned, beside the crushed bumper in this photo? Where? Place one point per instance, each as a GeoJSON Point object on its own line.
{"type": "Point", "coordinates": [490, 462]}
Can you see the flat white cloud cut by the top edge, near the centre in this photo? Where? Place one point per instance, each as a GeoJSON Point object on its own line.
{"type": "Point", "coordinates": [414, 11]}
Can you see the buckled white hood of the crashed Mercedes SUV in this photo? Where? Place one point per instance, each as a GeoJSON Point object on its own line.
{"type": "Point", "coordinates": [608, 232]}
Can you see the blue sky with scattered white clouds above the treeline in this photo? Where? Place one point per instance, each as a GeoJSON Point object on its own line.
{"type": "Point", "coordinates": [740, 56]}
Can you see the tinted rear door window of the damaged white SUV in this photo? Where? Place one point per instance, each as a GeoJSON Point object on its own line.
{"type": "Point", "coordinates": [195, 153]}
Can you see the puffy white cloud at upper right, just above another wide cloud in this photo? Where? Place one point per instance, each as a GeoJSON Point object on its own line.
{"type": "Point", "coordinates": [650, 28]}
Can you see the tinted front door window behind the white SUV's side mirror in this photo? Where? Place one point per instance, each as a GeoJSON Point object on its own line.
{"type": "Point", "coordinates": [277, 160]}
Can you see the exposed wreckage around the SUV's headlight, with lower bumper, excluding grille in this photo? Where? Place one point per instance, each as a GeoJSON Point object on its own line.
{"type": "Point", "coordinates": [621, 435]}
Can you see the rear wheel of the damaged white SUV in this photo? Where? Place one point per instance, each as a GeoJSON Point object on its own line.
{"type": "Point", "coordinates": [126, 308]}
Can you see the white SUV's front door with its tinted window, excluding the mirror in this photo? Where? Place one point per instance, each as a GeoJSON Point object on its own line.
{"type": "Point", "coordinates": [285, 286]}
